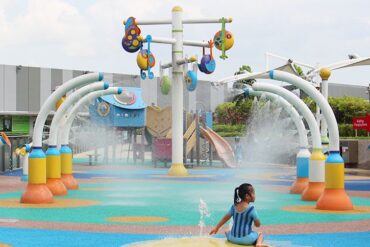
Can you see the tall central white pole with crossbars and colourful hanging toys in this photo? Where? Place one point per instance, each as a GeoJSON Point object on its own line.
{"type": "Point", "coordinates": [132, 42]}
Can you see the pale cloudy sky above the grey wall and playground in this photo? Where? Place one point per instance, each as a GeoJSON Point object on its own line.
{"type": "Point", "coordinates": [87, 34]}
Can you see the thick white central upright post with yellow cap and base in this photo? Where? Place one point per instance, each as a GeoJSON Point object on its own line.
{"type": "Point", "coordinates": [177, 167]}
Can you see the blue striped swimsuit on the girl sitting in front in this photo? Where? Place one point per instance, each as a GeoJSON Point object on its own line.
{"type": "Point", "coordinates": [241, 232]}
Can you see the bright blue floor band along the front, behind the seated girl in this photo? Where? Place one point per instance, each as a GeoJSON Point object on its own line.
{"type": "Point", "coordinates": [32, 237]}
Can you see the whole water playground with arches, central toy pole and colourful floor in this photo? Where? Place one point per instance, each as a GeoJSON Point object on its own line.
{"type": "Point", "coordinates": [154, 176]}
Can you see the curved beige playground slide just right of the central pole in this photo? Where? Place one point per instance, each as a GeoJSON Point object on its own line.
{"type": "Point", "coordinates": [223, 148]}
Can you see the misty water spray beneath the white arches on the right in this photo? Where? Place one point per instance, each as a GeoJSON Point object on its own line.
{"type": "Point", "coordinates": [271, 135]}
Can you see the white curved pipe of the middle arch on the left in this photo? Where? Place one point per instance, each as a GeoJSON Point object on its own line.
{"type": "Point", "coordinates": [71, 99]}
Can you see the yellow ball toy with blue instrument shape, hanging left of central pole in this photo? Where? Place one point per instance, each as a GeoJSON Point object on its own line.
{"type": "Point", "coordinates": [146, 60]}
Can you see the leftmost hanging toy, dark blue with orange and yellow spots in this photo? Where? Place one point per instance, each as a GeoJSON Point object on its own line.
{"type": "Point", "coordinates": [131, 41]}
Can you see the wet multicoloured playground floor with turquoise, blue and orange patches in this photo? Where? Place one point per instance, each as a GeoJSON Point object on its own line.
{"type": "Point", "coordinates": [121, 205]}
